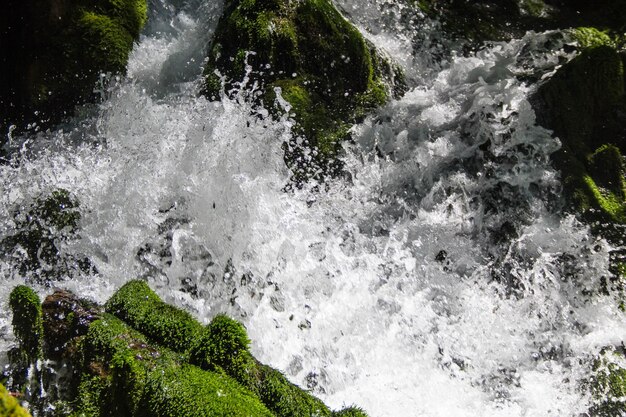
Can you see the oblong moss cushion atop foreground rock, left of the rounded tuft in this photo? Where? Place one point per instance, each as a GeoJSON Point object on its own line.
{"type": "Point", "coordinates": [139, 306]}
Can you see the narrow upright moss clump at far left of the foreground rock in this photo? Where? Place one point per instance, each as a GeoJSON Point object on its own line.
{"type": "Point", "coordinates": [27, 320]}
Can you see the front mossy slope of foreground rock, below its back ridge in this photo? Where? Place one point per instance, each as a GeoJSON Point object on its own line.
{"type": "Point", "coordinates": [124, 375]}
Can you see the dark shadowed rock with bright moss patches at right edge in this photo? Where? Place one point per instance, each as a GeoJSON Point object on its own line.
{"type": "Point", "coordinates": [584, 104]}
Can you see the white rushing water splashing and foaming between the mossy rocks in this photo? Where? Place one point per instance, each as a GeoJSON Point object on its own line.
{"type": "Point", "coordinates": [439, 278]}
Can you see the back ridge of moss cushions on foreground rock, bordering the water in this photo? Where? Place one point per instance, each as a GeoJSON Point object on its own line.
{"type": "Point", "coordinates": [221, 347]}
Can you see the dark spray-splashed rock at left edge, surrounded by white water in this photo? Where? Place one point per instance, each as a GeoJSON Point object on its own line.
{"type": "Point", "coordinates": [41, 230]}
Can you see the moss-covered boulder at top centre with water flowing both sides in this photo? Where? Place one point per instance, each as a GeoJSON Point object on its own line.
{"type": "Point", "coordinates": [303, 57]}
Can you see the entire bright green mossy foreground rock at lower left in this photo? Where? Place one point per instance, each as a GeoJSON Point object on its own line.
{"type": "Point", "coordinates": [142, 357]}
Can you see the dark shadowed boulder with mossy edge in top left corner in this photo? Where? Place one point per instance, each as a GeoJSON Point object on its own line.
{"type": "Point", "coordinates": [53, 52]}
